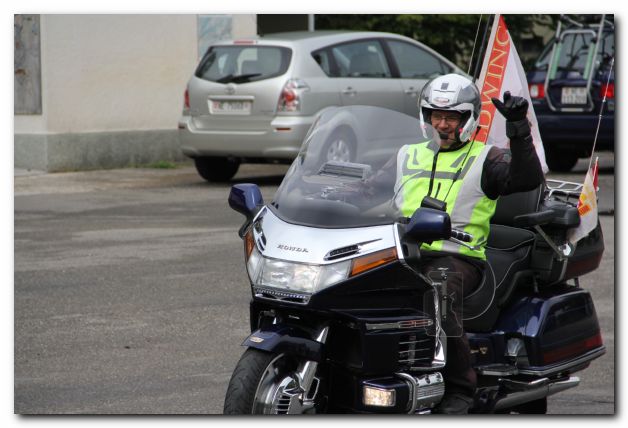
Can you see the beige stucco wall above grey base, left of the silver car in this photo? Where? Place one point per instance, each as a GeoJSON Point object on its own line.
{"type": "Point", "coordinates": [116, 72]}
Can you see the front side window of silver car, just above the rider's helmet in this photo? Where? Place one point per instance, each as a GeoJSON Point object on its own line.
{"type": "Point", "coordinates": [414, 62]}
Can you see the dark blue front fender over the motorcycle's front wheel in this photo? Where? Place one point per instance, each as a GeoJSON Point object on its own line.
{"type": "Point", "coordinates": [284, 339]}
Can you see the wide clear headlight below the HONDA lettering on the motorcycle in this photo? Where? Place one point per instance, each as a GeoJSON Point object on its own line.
{"type": "Point", "coordinates": [299, 277]}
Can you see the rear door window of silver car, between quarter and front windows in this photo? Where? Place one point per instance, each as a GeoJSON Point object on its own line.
{"type": "Point", "coordinates": [360, 59]}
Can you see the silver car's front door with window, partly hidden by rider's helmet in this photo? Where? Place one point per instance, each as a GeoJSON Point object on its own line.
{"type": "Point", "coordinates": [415, 66]}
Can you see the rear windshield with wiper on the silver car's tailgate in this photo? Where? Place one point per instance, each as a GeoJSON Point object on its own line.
{"type": "Point", "coordinates": [240, 64]}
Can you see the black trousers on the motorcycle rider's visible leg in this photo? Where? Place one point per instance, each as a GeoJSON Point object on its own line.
{"type": "Point", "coordinates": [462, 278]}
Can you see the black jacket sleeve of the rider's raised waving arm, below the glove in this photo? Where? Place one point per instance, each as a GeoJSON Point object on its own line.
{"type": "Point", "coordinates": [515, 170]}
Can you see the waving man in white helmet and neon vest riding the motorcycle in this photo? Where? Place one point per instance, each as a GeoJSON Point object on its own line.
{"type": "Point", "coordinates": [465, 178]}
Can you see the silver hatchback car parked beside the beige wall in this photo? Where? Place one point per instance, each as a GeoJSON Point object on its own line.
{"type": "Point", "coordinates": [254, 100]}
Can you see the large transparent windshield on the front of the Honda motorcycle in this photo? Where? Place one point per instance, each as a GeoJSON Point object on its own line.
{"type": "Point", "coordinates": [345, 174]}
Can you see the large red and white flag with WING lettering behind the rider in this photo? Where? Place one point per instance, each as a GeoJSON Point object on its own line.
{"type": "Point", "coordinates": [502, 71]}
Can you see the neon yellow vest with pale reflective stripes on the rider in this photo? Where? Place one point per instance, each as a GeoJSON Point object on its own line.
{"type": "Point", "coordinates": [467, 205]}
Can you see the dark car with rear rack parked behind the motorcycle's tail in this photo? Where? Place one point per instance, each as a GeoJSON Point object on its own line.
{"type": "Point", "coordinates": [567, 112]}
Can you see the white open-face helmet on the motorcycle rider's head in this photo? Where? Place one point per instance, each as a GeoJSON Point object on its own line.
{"type": "Point", "coordinates": [456, 93]}
